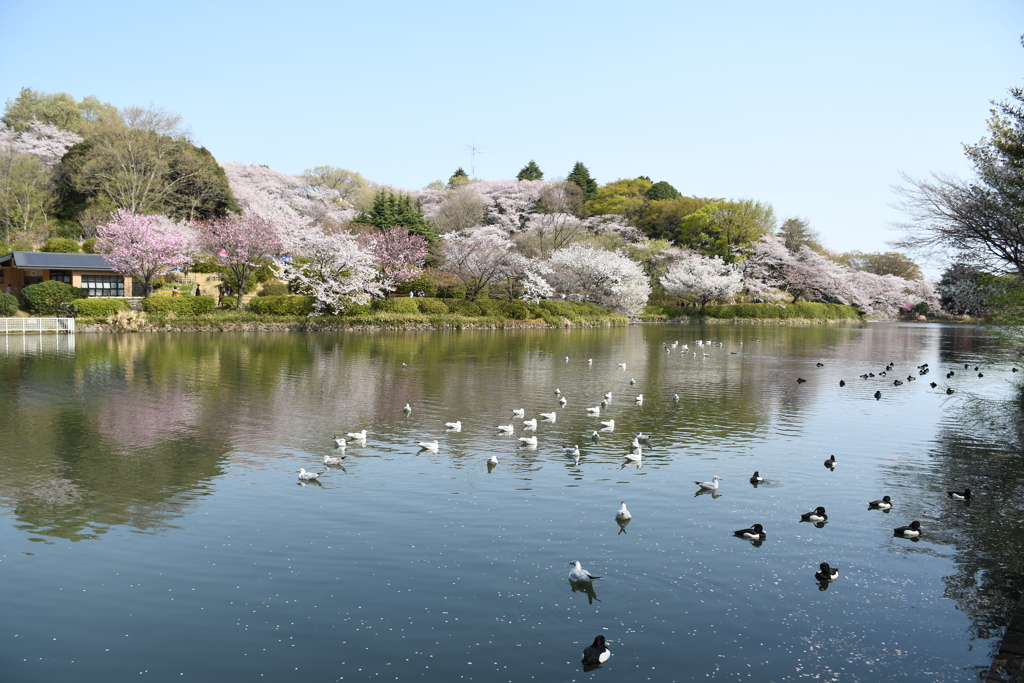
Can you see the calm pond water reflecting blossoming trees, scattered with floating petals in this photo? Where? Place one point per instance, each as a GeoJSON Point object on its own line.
{"type": "Point", "coordinates": [152, 525]}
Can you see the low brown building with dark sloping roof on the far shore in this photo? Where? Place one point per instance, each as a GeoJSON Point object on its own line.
{"type": "Point", "coordinates": [90, 272]}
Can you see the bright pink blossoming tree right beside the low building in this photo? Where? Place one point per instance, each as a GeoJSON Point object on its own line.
{"type": "Point", "coordinates": [144, 247]}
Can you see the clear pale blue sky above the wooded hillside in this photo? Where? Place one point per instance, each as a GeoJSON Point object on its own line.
{"type": "Point", "coordinates": [817, 108]}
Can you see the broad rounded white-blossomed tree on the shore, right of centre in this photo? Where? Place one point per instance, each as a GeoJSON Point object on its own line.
{"type": "Point", "coordinates": [606, 278]}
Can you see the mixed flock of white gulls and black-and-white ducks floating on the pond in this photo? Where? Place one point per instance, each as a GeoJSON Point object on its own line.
{"type": "Point", "coordinates": [599, 654]}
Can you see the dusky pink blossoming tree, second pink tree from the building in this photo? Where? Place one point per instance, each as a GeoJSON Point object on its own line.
{"type": "Point", "coordinates": [242, 245]}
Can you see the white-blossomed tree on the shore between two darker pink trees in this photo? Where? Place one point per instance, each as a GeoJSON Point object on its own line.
{"type": "Point", "coordinates": [334, 270]}
